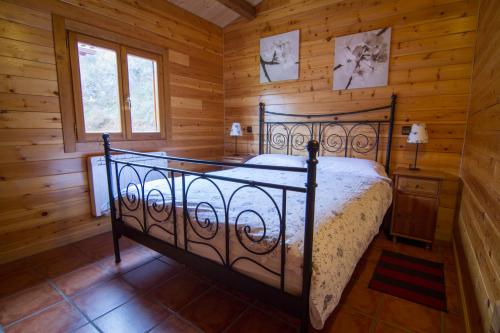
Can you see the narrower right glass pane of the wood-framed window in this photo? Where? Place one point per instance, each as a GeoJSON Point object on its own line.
{"type": "Point", "coordinates": [143, 86]}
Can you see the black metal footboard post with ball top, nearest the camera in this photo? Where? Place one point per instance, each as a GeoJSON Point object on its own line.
{"type": "Point", "coordinates": [312, 161]}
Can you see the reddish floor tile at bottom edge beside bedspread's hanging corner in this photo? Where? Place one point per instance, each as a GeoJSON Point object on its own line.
{"type": "Point", "coordinates": [344, 321]}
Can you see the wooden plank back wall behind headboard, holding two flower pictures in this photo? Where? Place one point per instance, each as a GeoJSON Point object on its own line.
{"type": "Point", "coordinates": [430, 70]}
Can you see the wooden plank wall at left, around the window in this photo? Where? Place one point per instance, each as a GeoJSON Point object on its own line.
{"type": "Point", "coordinates": [44, 200]}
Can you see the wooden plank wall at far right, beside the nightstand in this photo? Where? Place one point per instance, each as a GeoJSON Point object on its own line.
{"type": "Point", "coordinates": [479, 220]}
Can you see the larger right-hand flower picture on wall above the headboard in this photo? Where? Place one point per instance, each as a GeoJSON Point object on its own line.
{"type": "Point", "coordinates": [362, 60]}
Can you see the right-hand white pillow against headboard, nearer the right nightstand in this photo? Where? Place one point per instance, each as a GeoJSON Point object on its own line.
{"type": "Point", "coordinates": [352, 165]}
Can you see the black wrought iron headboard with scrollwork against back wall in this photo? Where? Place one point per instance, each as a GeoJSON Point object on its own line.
{"type": "Point", "coordinates": [348, 138]}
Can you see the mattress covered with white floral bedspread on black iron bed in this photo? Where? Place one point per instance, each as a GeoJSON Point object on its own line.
{"type": "Point", "coordinates": [352, 198]}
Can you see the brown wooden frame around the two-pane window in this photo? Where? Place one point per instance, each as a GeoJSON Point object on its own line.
{"type": "Point", "coordinates": [62, 28]}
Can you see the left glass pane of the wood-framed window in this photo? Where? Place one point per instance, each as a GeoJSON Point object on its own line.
{"type": "Point", "coordinates": [99, 80]}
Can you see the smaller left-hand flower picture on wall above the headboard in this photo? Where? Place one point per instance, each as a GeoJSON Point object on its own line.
{"type": "Point", "coordinates": [279, 57]}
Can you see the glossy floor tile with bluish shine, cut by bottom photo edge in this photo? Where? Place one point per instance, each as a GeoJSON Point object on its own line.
{"type": "Point", "coordinates": [138, 315]}
